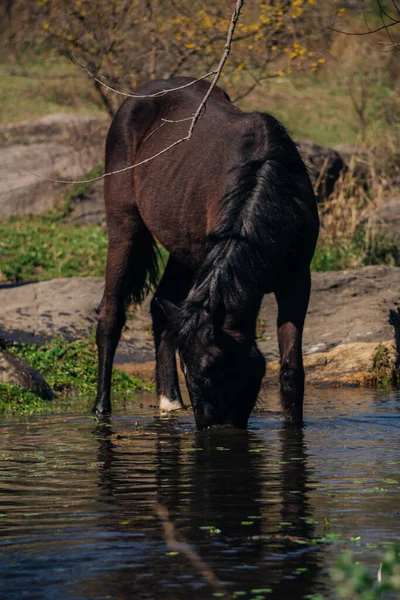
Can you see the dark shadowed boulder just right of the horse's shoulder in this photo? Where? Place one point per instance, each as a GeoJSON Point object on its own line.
{"type": "Point", "coordinates": [324, 164]}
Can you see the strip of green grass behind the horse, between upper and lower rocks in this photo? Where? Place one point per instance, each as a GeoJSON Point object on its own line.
{"type": "Point", "coordinates": [37, 248]}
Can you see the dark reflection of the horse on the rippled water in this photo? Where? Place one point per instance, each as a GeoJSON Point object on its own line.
{"type": "Point", "coordinates": [222, 481]}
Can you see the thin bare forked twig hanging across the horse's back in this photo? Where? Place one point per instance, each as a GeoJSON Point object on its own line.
{"type": "Point", "coordinates": [194, 119]}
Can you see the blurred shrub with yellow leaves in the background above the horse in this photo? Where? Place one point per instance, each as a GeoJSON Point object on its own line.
{"type": "Point", "coordinates": [127, 42]}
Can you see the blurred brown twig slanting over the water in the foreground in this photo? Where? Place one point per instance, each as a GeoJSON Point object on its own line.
{"type": "Point", "coordinates": [171, 537]}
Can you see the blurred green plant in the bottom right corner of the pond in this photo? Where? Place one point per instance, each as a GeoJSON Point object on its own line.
{"type": "Point", "coordinates": [353, 581]}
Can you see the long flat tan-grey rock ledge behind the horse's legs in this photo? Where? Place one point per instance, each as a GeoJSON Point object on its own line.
{"type": "Point", "coordinates": [346, 307]}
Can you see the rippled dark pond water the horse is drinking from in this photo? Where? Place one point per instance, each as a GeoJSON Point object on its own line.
{"type": "Point", "coordinates": [147, 508]}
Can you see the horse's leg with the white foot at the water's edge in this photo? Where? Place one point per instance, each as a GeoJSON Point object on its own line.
{"type": "Point", "coordinates": [174, 286]}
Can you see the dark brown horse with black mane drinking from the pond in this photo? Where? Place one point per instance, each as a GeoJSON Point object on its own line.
{"type": "Point", "coordinates": [236, 211]}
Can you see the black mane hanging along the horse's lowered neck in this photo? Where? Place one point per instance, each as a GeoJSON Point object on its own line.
{"type": "Point", "coordinates": [256, 215]}
